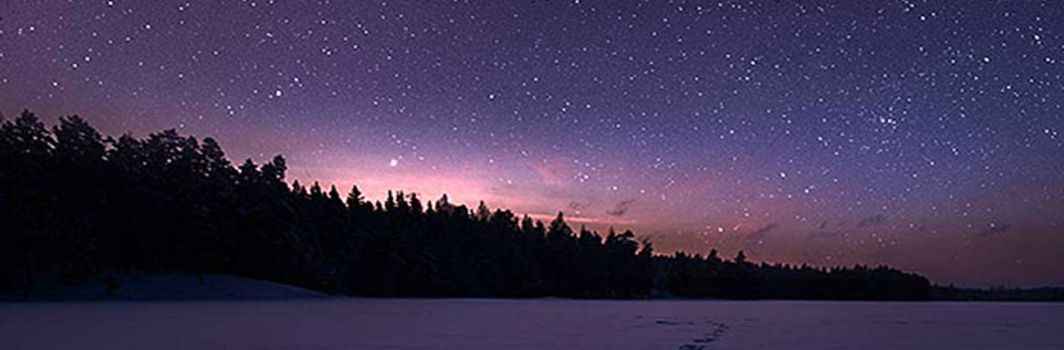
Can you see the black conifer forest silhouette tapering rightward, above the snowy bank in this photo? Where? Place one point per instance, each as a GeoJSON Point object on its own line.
{"type": "Point", "coordinates": [78, 207]}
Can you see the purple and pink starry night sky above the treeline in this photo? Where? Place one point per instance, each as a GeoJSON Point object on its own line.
{"type": "Point", "coordinates": [921, 135]}
